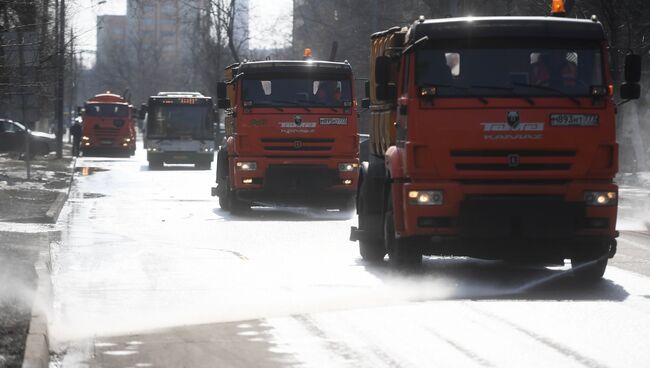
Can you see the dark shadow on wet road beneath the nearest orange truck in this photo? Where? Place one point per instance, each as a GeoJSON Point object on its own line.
{"type": "Point", "coordinates": [473, 279]}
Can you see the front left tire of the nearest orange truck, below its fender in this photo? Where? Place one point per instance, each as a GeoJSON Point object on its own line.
{"type": "Point", "coordinates": [402, 253]}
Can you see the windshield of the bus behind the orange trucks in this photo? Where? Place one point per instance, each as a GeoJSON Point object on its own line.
{"type": "Point", "coordinates": [176, 121]}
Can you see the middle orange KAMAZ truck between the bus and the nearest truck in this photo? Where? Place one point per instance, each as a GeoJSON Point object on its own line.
{"type": "Point", "coordinates": [292, 137]}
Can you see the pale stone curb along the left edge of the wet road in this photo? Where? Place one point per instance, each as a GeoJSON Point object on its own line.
{"type": "Point", "coordinates": [37, 344]}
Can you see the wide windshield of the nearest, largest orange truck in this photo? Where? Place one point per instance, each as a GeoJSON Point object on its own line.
{"type": "Point", "coordinates": [503, 71]}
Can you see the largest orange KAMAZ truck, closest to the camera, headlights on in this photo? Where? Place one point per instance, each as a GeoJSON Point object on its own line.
{"type": "Point", "coordinates": [492, 138]}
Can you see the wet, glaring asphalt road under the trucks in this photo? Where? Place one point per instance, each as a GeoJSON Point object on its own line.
{"type": "Point", "coordinates": [150, 272]}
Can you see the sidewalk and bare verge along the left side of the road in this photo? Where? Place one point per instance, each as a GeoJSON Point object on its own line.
{"type": "Point", "coordinates": [25, 206]}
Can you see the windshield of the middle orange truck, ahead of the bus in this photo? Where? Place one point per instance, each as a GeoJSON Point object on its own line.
{"type": "Point", "coordinates": [301, 92]}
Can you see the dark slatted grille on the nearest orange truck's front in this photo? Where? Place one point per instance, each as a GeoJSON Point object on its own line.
{"type": "Point", "coordinates": [512, 160]}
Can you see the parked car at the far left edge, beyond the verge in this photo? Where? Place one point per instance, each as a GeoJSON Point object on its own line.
{"type": "Point", "coordinates": [12, 139]}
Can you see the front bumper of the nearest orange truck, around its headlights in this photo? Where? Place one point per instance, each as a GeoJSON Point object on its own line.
{"type": "Point", "coordinates": [509, 212]}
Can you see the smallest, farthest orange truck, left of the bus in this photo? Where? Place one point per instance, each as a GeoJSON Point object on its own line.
{"type": "Point", "coordinates": [108, 126]}
